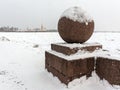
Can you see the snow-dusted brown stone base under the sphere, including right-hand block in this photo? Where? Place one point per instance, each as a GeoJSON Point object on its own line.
{"type": "Point", "coordinates": [64, 62]}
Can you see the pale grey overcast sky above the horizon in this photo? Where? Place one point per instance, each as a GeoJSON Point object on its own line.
{"type": "Point", "coordinates": [33, 13]}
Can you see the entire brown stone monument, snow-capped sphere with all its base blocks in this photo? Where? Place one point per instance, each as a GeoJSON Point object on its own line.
{"type": "Point", "coordinates": [76, 58]}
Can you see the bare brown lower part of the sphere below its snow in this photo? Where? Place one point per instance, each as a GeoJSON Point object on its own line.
{"type": "Point", "coordinates": [74, 31]}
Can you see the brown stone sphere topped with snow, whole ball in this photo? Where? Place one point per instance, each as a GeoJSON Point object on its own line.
{"type": "Point", "coordinates": [75, 25]}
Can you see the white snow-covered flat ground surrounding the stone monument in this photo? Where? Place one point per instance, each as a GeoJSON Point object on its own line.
{"type": "Point", "coordinates": [22, 62]}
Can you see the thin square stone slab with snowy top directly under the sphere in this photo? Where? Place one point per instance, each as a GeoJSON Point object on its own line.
{"type": "Point", "coordinates": [69, 49]}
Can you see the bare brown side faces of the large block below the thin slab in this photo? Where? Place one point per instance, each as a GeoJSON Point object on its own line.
{"type": "Point", "coordinates": [66, 70]}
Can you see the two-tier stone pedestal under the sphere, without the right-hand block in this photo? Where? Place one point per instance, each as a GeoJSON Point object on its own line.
{"type": "Point", "coordinates": [70, 61]}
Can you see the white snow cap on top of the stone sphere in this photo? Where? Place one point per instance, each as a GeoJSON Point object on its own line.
{"type": "Point", "coordinates": [77, 14]}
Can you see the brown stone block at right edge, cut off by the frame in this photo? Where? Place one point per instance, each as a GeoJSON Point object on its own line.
{"type": "Point", "coordinates": [108, 69]}
